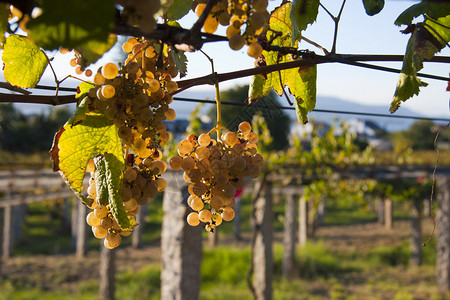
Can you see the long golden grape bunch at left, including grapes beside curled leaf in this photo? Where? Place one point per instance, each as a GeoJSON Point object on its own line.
{"type": "Point", "coordinates": [136, 97]}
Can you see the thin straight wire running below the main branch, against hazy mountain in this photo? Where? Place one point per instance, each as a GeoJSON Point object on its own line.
{"type": "Point", "coordinates": [274, 107]}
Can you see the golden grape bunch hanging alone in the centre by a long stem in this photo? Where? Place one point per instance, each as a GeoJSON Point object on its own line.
{"type": "Point", "coordinates": [215, 169]}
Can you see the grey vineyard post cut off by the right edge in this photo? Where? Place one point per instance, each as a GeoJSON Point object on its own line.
{"type": "Point", "coordinates": [443, 234]}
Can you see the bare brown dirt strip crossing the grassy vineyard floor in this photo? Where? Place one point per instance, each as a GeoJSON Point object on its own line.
{"type": "Point", "coordinates": [46, 271]}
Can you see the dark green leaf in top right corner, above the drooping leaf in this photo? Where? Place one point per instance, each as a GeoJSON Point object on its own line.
{"type": "Point", "coordinates": [433, 9]}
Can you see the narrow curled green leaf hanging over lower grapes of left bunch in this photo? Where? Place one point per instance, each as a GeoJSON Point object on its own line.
{"type": "Point", "coordinates": [112, 168]}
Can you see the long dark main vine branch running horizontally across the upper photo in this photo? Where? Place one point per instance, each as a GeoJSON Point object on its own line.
{"type": "Point", "coordinates": [308, 60]}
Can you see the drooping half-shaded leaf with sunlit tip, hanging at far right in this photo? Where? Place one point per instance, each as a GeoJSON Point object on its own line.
{"type": "Point", "coordinates": [421, 45]}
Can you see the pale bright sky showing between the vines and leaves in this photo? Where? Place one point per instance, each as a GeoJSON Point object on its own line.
{"type": "Point", "coordinates": [358, 34]}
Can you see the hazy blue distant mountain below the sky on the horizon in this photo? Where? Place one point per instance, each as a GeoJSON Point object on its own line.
{"type": "Point", "coordinates": [323, 103]}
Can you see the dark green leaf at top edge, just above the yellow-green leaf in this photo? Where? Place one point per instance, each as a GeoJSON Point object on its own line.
{"type": "Point", "coordinates": [303, 13]}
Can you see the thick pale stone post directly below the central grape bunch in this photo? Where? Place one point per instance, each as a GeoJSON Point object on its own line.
{"type": "Point", "coordinates": [181, 244]}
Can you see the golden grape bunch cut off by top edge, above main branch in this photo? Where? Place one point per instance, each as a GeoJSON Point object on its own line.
{"type": "Point", "coordinates": [245, 20]}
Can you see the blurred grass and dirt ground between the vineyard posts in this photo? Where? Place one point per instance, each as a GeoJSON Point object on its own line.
{"type": "Point", "coordinates": [351, 257]}
